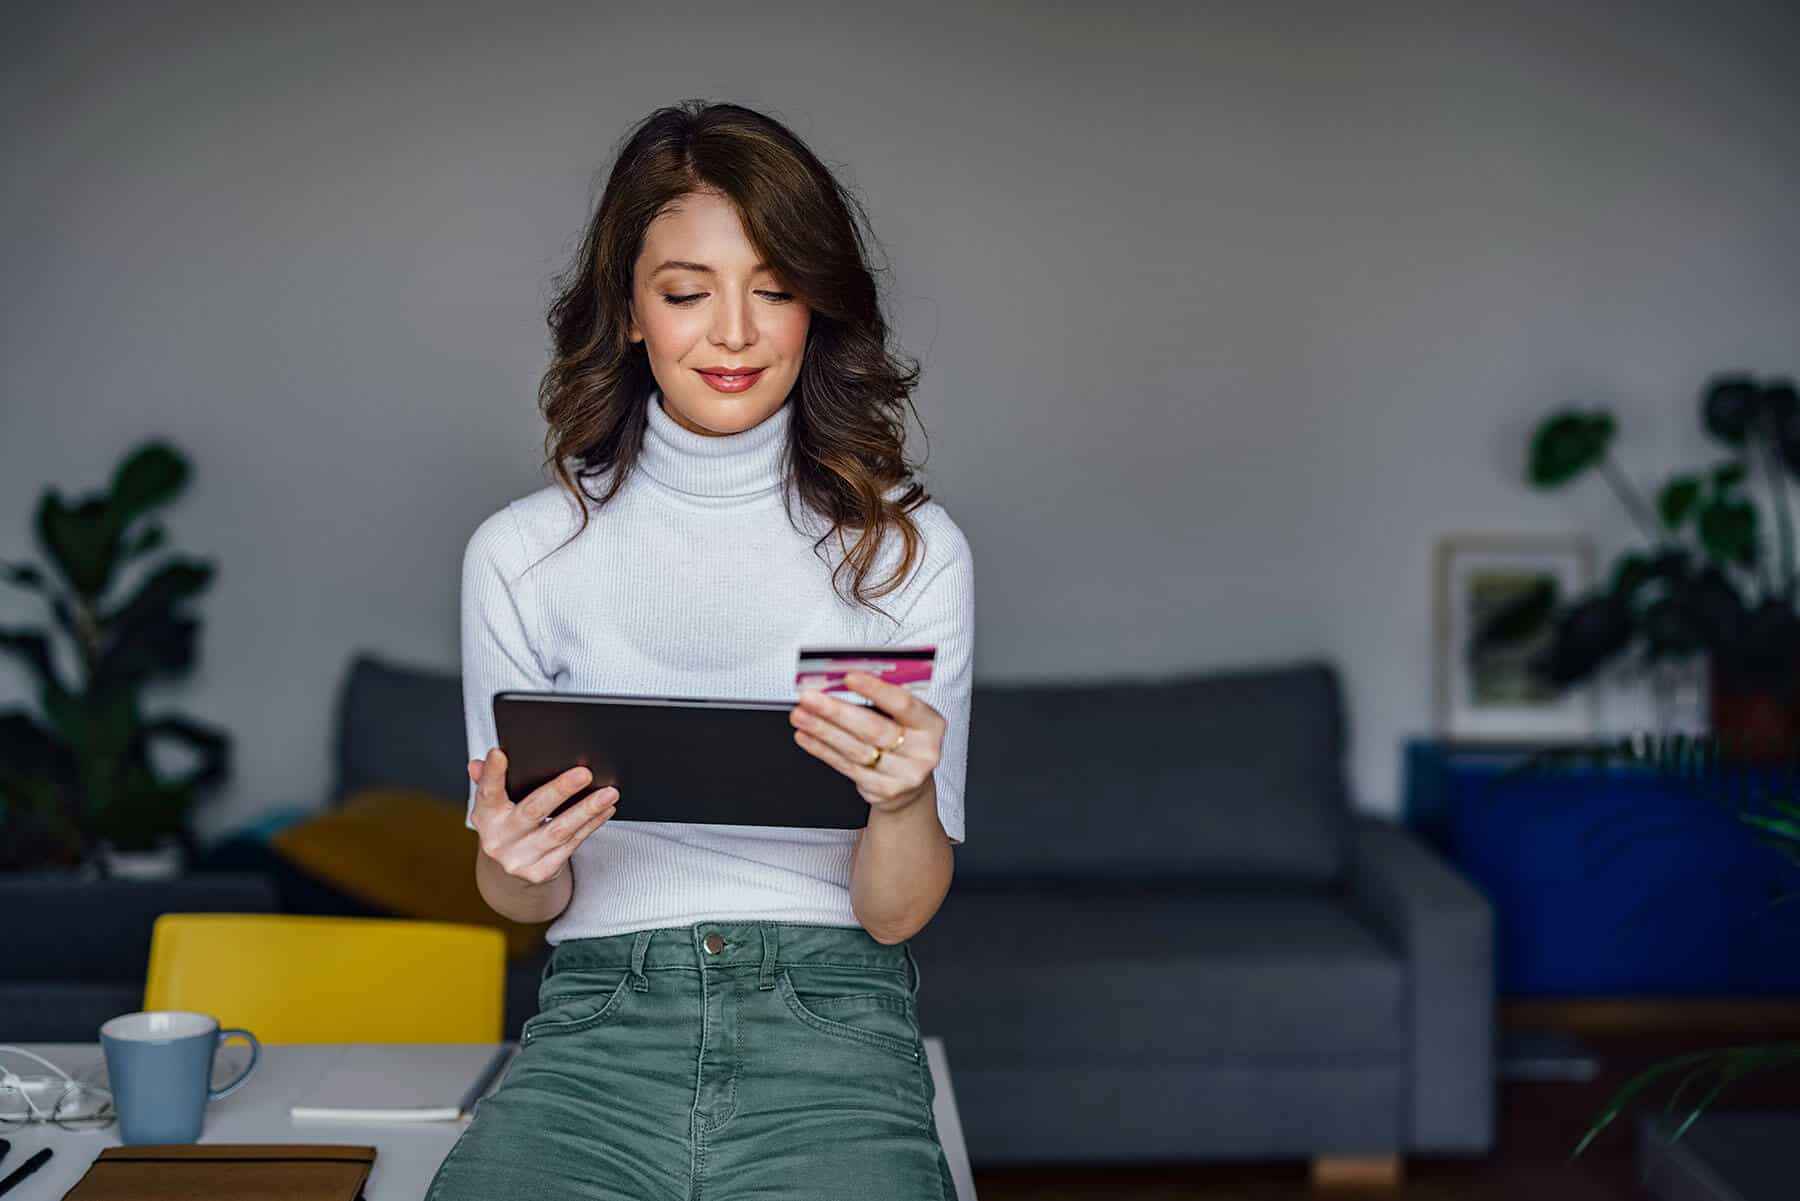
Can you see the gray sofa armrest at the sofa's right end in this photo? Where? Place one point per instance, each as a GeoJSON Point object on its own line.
{"type": "Point", "coordinates": [1444, 930]}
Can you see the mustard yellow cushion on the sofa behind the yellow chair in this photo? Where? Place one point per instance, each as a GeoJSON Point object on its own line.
{"type": "Point", "coordinates": [406, 853]}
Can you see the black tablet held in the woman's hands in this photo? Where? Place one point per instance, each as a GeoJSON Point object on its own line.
{"type": "Point", "coordinates": [676, 759]}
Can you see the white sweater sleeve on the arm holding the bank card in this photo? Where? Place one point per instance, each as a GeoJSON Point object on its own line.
{"type": "Point", "coordinates": [942, 613]}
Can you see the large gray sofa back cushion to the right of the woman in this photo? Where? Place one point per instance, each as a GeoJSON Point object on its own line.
{"type": "Point", "coordinates": [1221, 777]}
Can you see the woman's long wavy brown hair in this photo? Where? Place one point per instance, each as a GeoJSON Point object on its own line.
{"type": "Point", "coordinates": [847, 435]}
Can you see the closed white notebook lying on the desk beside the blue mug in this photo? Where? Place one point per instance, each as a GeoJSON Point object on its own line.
{"type": "Point", "coordinates": [404, 1083]}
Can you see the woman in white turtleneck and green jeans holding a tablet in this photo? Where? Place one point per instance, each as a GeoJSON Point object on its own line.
{"type": "Point", "coordinates": [728, 1011]}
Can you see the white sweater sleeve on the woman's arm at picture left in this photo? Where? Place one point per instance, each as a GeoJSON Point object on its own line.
{"type": "Point", "coordinates": [499, 631]}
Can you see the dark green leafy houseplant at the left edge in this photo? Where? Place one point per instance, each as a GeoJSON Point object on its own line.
{"type": "Point", "coordinates": [78, 777]}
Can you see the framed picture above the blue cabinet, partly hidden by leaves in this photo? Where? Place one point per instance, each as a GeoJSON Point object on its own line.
{"type": "Point", "coordinates": [1493, 597]}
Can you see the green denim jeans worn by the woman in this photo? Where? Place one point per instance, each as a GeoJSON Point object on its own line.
{"type": "Point", "coordinates": [714, 1063]}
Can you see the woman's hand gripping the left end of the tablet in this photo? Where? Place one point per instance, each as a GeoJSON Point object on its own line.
{"type": "Point", "coordinates": [517, 838]}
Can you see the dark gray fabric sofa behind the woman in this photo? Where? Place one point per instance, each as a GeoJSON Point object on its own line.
{"type": "Point", "coordinates": [1169, 937]}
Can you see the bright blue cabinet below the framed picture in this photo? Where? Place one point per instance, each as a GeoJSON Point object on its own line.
{"type": "Point", "coordinates": [1608, 881]}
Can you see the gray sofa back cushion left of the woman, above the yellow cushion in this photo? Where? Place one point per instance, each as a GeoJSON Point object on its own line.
{"type": "Point", "coordinates": [400, 728]}
